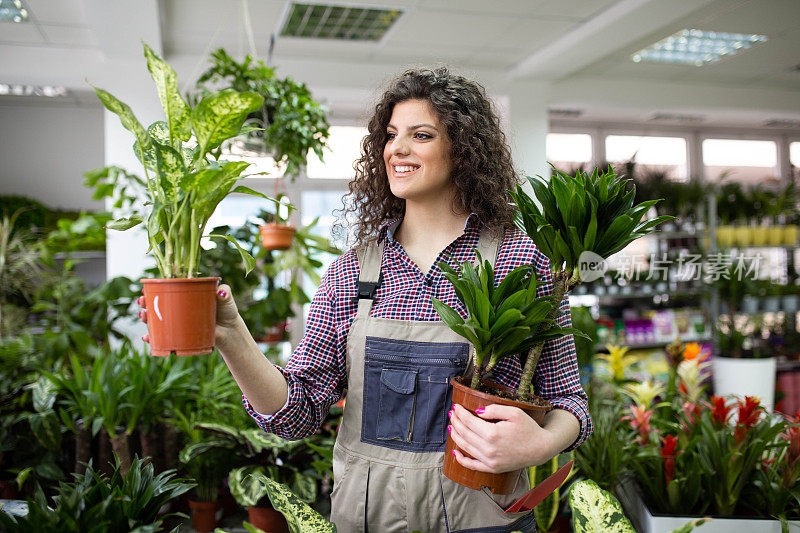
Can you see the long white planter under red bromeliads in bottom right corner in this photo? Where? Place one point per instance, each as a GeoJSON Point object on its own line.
{"type": "Point", "coordinates": [646, 522]}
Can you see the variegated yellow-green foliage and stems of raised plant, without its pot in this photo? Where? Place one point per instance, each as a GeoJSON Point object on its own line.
{"type": "Point", "coordinates": [184, 183]}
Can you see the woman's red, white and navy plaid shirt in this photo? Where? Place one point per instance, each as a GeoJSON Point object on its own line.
{"type": "Point", "coordinates": [316, 373]}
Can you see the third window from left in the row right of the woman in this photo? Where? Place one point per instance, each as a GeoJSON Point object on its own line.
{"type": "Point", "coordinates": [745, 161]}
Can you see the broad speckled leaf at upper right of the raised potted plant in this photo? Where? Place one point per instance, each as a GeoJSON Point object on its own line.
{"type": "Point", "coordinates": [219, 116]}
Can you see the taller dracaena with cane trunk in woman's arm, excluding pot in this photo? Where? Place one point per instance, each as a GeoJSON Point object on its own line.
{"type": "Point", "coordinates": [578, 222]}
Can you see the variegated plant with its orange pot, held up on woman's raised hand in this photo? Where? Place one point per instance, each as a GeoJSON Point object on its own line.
{"type": "Point", "coordinates": [184, 187]}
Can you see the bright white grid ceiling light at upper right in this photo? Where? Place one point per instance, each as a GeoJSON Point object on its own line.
{"type": "Point", "coordinates": [697, 47]}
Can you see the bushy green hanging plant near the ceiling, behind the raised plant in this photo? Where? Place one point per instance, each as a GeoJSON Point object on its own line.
{"type": "Point", "coordinates": [290, 123]}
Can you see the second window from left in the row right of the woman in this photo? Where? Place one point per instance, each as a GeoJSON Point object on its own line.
{"type": "Point", "coordinates": [665, 155]}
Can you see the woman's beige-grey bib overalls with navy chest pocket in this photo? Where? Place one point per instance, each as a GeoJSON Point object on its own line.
{"type": "Point", "coordinates": [387, 461]}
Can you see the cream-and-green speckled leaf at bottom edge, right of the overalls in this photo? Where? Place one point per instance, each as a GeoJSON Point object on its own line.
{"type": "Point", "coordinates": [595, 510]}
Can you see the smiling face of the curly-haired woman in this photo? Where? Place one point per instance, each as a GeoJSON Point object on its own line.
{"type": "Point", "coordinates": [417, 153]}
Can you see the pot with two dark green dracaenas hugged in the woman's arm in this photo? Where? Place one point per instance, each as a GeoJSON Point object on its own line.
{"type": "Point", "coordinates": [583, 219]}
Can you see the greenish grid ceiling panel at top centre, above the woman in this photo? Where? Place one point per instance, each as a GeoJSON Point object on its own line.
{"type": "Point", "coordinates": [347, 23]}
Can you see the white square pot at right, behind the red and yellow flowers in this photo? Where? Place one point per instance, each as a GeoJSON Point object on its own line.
{"type": "Point", "coordinates": [745, 377]}
